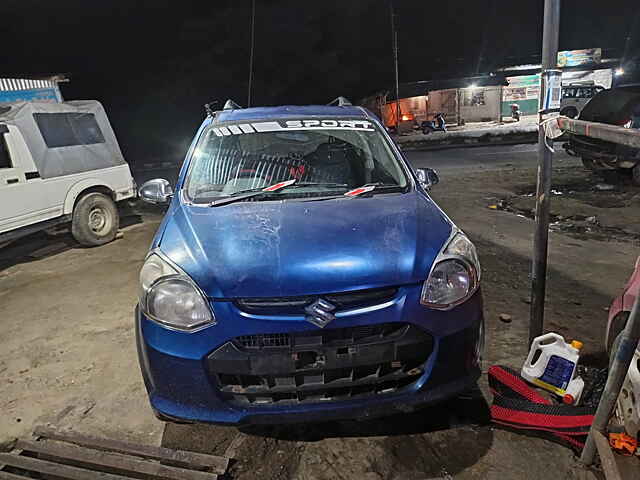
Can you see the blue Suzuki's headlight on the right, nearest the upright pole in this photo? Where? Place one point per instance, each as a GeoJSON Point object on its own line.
{"type": "Point", "coordinates": [455, 275]}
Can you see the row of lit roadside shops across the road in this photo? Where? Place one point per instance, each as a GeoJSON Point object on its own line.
{"type": "Point", "coordinates": [489, 97]}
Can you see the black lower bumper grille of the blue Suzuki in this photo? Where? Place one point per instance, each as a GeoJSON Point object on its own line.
{"type": "Point", "coordinates": [320, 366]}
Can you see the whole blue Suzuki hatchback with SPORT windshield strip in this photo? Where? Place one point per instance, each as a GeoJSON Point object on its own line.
{"type": "Point", "coordinates": [303, 273]}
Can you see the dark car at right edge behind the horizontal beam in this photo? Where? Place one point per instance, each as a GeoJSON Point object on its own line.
{"type": "Point", "coordinates": [617, 106]}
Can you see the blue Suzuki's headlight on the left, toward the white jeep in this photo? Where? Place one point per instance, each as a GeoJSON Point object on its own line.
{"type": "Point", "coordinates": [169, 296]}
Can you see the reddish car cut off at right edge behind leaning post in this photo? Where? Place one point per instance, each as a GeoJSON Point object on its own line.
{"type": "Point", "coordinates": [628, 406]}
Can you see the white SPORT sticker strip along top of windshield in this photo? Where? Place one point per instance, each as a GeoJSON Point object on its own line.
{"type": "Point", "coordinates": [289, 125]}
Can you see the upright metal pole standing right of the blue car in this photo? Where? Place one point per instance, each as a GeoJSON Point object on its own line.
{"type": "Point", "coordinates": [545, 156]}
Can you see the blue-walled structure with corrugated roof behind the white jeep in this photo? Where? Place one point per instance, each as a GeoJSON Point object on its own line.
{"type": "Point", "coordinates": [31, 88]}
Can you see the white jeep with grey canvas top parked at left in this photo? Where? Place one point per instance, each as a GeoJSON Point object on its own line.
{"type": "Point", "coordinates": [60, 163]}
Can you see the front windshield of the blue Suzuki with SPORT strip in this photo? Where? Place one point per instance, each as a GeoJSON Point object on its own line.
{"type": "Point", "coordinates": [324, 157]}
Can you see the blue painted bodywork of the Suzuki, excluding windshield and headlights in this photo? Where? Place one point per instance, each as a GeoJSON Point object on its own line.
{"type": "Point", "coordinates": [382, 246]}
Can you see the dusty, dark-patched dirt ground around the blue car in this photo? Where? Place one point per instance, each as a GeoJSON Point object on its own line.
{"type": "Point", "coordinates": [67, 355]}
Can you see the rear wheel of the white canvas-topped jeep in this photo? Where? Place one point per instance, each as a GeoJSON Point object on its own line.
{"type": "Point", "coordinates": [95, 220]}
